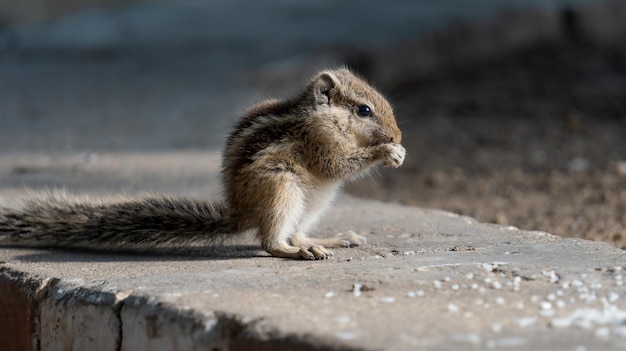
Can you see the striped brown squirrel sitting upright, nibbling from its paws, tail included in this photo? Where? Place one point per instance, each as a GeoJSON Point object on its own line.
{"type": "Point", "coordinates": [282, 165]}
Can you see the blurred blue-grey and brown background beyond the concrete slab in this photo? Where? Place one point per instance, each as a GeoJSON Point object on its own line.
{"type": "Point", "coordinates": [513, 111]}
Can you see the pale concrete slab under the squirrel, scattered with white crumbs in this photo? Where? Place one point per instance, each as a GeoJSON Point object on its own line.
{"type": "Point", "coordinates": [427, 279]}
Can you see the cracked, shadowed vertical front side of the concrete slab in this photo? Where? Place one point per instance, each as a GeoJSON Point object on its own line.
{"type": "Point", "coordinates": [47, 313]}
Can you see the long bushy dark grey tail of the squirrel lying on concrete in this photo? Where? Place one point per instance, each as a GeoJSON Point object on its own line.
{"type": "Point", "coordinates": [57, 220]}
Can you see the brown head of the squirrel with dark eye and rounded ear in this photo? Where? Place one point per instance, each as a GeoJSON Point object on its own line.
{"type": "Point", "coordinates": [356, 106]}
